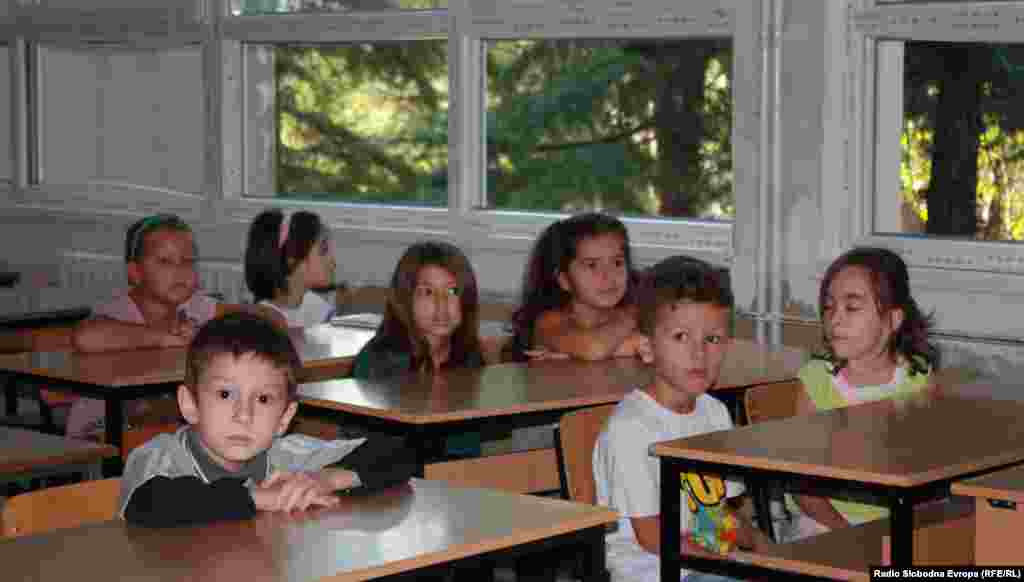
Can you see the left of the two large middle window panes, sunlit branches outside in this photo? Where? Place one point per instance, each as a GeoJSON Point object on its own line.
{"type": "Point", "coordinates": [361, 122]}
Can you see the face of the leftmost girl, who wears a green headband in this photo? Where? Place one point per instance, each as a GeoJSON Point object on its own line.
{"type": "Point", "coordinates": [166, 270]}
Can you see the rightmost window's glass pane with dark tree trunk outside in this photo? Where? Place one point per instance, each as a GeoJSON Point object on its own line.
{"type": "Point", "coordinates": [961, 143]}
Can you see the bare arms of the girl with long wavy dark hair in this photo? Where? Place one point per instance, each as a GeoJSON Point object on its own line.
{"type": "Point", "coordinates": [557, 331]}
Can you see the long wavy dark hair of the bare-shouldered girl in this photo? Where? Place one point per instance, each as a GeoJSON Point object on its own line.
{"type": "Point", "coordinates": [552, 254]}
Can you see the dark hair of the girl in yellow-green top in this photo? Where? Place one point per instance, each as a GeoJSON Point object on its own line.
{"type": "Point", "coordinates": [891, 282]}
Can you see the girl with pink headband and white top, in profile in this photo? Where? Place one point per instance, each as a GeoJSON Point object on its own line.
{"type": "Point", "coordinates": [287, 256]}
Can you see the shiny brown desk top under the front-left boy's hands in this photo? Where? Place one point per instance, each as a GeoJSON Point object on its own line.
{"type": "Point", "coordinates": [400, 530]}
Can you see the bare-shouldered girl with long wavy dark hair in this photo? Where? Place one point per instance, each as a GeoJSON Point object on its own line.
{"type": "Point", "coordinates": [577, 297]}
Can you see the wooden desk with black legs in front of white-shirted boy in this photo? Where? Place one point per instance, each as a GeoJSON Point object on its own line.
{"type": "Point", "coordinates": [877, 452]}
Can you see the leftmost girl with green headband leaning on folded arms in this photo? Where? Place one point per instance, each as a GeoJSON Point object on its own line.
{"type": "Point", "coordinates": [162, 308]}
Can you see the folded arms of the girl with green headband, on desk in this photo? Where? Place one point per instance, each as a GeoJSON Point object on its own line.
{"type": "Point", "coordinates": [103, 335]}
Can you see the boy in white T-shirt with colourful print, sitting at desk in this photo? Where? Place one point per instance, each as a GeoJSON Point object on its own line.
{"type": "Point", "coordinates": [686, 313]}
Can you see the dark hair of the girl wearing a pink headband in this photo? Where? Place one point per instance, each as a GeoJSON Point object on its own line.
{"type": "Point", "coordinates": [269, 259]}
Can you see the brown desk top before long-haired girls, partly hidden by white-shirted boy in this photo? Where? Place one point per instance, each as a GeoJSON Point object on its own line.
{"type": "Point", "coordinates": [516, 389]}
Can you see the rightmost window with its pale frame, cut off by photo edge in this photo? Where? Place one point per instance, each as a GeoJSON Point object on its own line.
{"type": "Point", "coordinates": [934, 139]}
